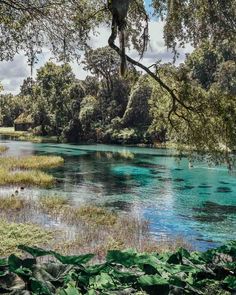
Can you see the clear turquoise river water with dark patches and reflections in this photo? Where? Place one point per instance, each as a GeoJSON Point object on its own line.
{"type": "Point", "coordinates": [197, 203]}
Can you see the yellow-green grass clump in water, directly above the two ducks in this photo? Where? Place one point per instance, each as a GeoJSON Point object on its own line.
{"type": "Point", "coordinates": [27, 178]}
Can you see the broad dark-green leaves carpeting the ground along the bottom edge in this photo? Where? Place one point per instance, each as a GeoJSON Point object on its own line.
{"type": "Point", "coordinates": [123, 272]}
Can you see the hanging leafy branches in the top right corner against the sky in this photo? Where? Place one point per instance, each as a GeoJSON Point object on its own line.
{"type": "Point", "coordinates": [195, 21]}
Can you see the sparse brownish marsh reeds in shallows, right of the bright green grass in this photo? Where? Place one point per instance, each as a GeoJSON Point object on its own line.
{"type": "Point", "coordinates": [97, 230]}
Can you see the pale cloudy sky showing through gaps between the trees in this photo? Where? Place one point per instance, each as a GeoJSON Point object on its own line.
{"type": "Point", "coordinates": [13, 73]}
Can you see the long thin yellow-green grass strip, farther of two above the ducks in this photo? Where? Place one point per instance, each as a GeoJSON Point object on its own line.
{"type": "Point", "coordinates": [31, 162]}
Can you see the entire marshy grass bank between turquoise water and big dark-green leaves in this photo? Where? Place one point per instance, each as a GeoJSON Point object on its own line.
{"type": "Point", "coordinates": [59, 224]}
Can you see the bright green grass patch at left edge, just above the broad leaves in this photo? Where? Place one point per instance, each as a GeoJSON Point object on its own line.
{"type": "Point", "coordinates": [12, 234]}
